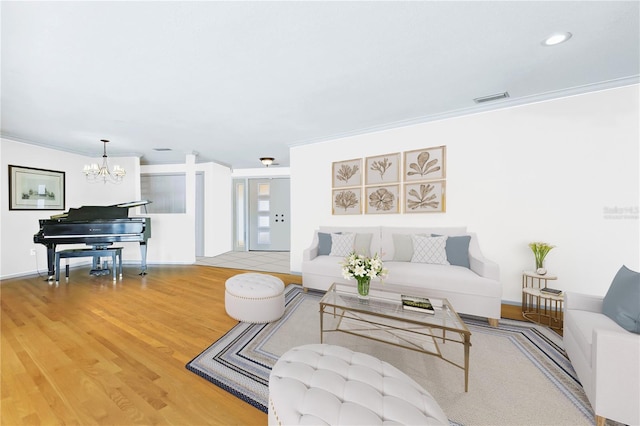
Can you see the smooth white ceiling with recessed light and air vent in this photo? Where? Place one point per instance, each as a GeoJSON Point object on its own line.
{"type": "Point", "coordinates": [235, 81]}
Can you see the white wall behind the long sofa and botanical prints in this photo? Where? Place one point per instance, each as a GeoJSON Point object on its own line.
{"type": "Point", "coordinates": [539, 172]}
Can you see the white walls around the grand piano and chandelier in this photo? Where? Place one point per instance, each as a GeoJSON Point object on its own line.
{"type": "Point", "coordinates": [172, 236]}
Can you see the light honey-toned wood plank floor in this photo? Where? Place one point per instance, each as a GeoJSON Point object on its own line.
{"type": "Point", "coordinates": [90, 352]}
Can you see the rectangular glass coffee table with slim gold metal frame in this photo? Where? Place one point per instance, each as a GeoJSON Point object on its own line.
{"type": "Point", "coordinates": [381, 317]}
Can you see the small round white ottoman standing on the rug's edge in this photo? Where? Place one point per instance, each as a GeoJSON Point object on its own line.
{"type": "Point", "coordinates": [256, 298]}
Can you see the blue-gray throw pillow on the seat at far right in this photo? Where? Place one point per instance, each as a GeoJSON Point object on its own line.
{"type": "Point", "coordinates": [622, 301]}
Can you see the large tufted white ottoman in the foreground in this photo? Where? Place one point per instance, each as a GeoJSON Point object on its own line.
{"type": "Point", "coordinates": [326, 384]}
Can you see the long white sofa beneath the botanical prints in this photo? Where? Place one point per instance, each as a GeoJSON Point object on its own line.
{"type": "Point", "coordinates": [474, 290]}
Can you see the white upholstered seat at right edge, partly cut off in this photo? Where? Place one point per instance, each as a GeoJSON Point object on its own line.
{"type": "Point", "coordinates": [606, 358]}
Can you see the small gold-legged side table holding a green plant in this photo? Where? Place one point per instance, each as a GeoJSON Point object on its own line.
{"type": "Point", "coordinates": [538, 306]}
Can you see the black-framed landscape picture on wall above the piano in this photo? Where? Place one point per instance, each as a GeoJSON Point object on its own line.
{"type": "Point", "coordinates": [35, 189]}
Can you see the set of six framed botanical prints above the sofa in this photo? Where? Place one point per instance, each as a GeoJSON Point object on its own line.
{"type": "Point", "coordinates": [408, 182]}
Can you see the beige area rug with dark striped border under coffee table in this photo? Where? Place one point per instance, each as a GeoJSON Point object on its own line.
{"type": "Point", "coordinates": [519, 373]}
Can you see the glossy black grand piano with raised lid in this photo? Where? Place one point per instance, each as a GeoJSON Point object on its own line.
{"type": "Point", "coordinates": [95, 226]}
